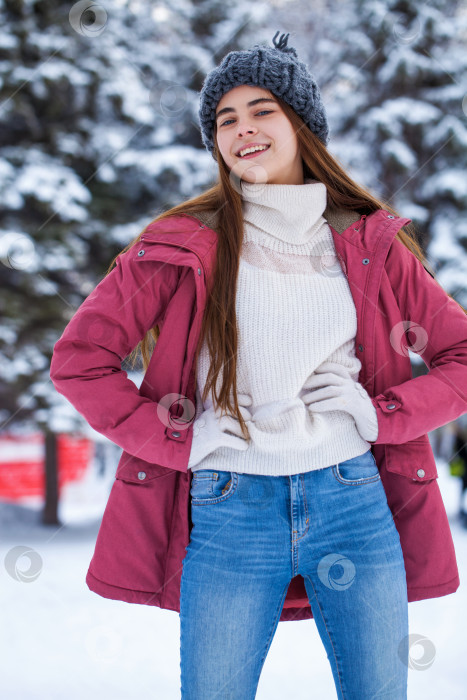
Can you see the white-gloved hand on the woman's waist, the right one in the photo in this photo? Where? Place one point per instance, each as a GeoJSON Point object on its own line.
{"type": "Point", "coordinates": [340, 392]}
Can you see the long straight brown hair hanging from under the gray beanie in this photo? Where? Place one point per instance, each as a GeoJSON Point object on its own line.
{"type": "Point", "coordinates": [219, 326]}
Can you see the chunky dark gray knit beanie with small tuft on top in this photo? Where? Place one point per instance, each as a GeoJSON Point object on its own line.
{"type": "Point", "coordinates": [276, 69]}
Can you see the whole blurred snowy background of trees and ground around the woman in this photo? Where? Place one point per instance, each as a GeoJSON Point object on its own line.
{"type": "Point", "coordinates": [98, 135]}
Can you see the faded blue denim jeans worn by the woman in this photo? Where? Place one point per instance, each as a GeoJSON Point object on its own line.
{"type": "Point", "coordinates": [251, 535]}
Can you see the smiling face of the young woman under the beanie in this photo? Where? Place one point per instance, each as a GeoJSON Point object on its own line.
{"type": "Point", "coordinates": [253, 117]}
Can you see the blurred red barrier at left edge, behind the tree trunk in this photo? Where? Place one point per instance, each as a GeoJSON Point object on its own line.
{"type": "Point", "coordinates": [22, 463]}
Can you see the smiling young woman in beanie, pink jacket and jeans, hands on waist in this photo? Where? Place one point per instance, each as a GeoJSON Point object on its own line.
{"type": "Point", "coordinates": [276, 463]}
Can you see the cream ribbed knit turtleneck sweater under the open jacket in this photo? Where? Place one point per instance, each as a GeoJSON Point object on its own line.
{"type": "Point", "coordinates": [294, 312]}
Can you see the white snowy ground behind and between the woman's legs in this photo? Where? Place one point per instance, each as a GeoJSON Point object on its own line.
{"type": "Point", "coordinates": [58, 640]}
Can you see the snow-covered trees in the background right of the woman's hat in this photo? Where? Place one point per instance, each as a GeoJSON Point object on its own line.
{"type": "Point", "coordinates": [393, 78]}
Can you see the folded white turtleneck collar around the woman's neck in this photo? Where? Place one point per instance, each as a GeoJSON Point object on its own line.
{"type": "Point", "coordinates": [291, 213]}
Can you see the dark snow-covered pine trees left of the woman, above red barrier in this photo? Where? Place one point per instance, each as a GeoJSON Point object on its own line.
{"type": "Point", "coordinates": [99, 134]}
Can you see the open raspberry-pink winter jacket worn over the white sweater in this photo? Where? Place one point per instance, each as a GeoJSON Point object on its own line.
{"type": "Point", "coordinates": [164, 279]}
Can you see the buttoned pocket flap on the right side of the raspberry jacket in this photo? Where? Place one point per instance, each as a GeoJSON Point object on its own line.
{"type": "Point", "coordinates": [414, 460]}
